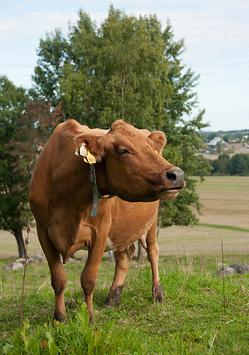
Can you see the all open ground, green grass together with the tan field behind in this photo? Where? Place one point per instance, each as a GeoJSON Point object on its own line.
{"type": "Point", "coordinates": [201, 314]}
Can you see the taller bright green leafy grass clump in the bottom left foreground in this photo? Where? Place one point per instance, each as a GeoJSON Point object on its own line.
{"type": "Point", "coordinates": [76, 336]}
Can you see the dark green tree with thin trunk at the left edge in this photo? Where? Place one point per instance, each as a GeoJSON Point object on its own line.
{"type": "Point", "coordinates": [14, 212]}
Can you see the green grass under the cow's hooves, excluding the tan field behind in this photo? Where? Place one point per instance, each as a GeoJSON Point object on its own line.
{"type": "Point", "coordinates": [192, 320]}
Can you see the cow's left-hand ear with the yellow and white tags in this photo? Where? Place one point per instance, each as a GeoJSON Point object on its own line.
{"type": "Point", "coordinates": [89, 147]}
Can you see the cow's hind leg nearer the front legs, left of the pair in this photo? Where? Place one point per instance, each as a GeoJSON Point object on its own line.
{"type": "Point", "coordinates": [122, 259]}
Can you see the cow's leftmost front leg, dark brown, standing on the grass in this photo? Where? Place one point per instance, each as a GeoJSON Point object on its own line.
{"type": "Point", "coordinates": [58, 274]}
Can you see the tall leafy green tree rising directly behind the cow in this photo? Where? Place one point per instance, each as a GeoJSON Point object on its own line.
{"type": "Point", "coordinates": [129, 68]}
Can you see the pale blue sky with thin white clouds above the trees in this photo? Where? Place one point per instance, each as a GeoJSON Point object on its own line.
{"type": "Point", "coordinates": [216, 35]}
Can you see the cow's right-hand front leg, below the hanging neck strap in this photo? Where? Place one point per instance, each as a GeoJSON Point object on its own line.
{"type": "Point", "coordinates": [89, 274]}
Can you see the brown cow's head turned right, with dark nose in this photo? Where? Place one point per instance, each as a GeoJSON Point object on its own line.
{"type": "Point", "coordinates": [131, 165]}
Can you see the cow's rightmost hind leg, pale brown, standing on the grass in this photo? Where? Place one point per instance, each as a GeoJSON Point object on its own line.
{"type": "Point", "coordinates": [153, 256]}
